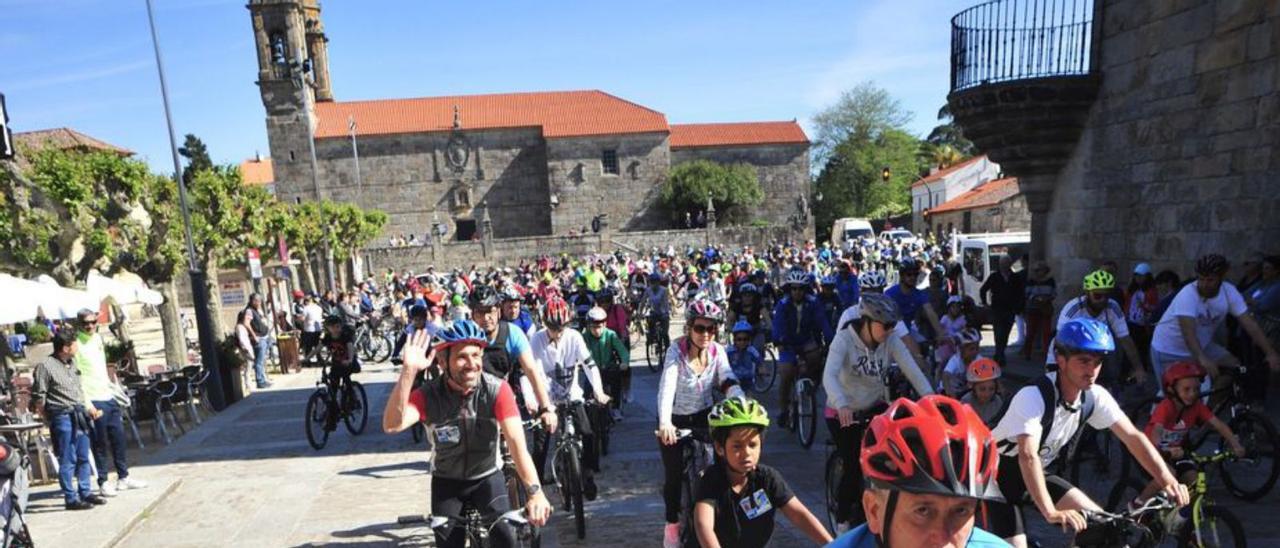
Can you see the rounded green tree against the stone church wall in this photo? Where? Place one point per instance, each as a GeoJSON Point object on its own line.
{"type": "Point", "coordinates": [733, 189]}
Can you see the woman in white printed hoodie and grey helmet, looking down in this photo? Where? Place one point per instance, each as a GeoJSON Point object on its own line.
{"type": "Point", "coordinates": [854, 378]}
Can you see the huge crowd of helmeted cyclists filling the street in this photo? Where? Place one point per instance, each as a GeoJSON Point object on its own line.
{"type": "Point", "coordinates": [496, 360]}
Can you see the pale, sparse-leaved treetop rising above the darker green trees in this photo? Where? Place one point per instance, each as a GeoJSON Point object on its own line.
{"type": "Point", "coordinates": [861, 116]}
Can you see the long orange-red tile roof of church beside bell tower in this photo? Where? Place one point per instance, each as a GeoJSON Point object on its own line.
{"type": "Point", "coordinates": [557, 113]}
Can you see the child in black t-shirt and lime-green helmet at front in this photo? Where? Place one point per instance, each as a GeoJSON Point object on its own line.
{"type": "Point", "coordinates": [738, 496]}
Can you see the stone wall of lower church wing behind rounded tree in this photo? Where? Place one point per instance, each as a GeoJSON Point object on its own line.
{"type": "Point", "coordinates": [784, 172]}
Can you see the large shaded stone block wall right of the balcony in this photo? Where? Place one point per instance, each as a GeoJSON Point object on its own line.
{"type": "Point", "coordinates": [1182, 152]}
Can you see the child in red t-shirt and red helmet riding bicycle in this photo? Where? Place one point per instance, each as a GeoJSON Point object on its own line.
{"type": "Point", "coordinates": [1180, 413]}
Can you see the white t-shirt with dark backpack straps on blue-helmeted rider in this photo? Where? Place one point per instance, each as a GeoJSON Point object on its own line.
{"type": "Point", "coordinates": [1027, 409]}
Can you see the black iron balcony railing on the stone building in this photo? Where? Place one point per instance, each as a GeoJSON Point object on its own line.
{"type": "Point", "coordinates": [1007, 40]}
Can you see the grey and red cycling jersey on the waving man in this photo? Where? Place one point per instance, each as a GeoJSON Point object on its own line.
{"type": "Point", "coordinates": [465, 427]}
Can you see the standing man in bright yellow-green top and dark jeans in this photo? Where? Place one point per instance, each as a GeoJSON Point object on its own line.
{"type": "Point", "coordinates": [95, 383]}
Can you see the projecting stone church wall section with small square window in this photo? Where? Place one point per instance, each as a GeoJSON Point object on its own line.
{"type": "Point", "coordinates": [584, 190]}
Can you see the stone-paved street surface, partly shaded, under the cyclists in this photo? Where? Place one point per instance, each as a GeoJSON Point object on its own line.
{"type": "Point", "coordinates": [249, 478]}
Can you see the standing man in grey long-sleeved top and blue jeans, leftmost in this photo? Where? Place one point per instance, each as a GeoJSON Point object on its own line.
{"type": "Point", "coordinates": [56, 390]}
